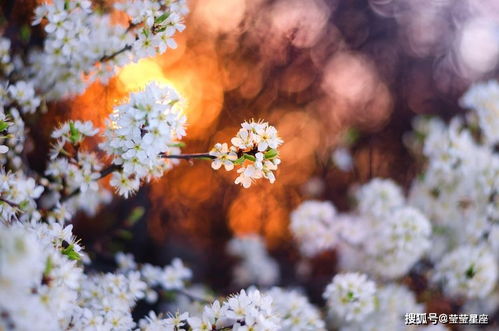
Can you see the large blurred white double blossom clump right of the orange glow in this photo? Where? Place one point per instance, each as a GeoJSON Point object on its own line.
{"type": "Point", "coordinates": [399, 235]}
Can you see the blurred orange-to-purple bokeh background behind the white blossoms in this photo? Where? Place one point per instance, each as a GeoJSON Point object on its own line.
{"type": "Point", "coordinates": [324, 72]}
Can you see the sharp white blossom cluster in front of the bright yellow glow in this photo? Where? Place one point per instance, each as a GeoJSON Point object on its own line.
{"type": "Point", "coordinates": [141, 133]}
